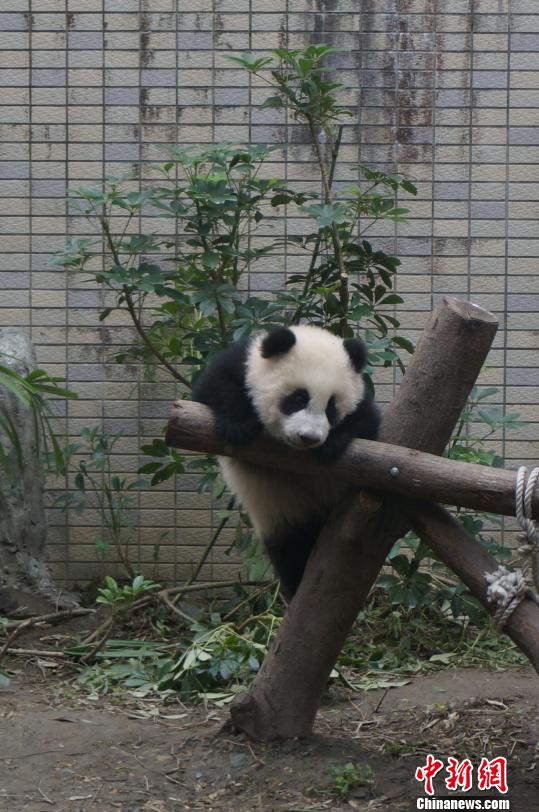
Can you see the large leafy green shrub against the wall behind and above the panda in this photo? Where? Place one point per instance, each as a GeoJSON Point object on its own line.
{"type": "Point", "coordinates": [185, 294]}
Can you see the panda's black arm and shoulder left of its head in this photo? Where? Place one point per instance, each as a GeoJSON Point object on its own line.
{"type": "Point", "coordinates": [221, 386]}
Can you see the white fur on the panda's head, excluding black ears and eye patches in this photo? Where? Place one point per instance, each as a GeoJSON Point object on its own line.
{"type": "Point", "coordinates": [319, 363]}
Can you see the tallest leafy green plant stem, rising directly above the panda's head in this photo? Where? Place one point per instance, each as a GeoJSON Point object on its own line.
{"type": "Point", "coordinates": [328, 294]}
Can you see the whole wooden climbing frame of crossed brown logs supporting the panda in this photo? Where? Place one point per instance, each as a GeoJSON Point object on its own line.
{"type": "Point", "coordinates": [405, 477]}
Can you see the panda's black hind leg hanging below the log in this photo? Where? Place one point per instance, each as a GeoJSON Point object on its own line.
{"type": "Point", "coordinates": [289, 550]}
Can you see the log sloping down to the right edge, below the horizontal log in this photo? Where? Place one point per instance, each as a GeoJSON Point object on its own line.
{"type": "Point", "coordinates": [470, 561]}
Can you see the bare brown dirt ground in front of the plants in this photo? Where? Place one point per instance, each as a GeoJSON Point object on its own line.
{"type": "Point", "coordinates": [61, 751]}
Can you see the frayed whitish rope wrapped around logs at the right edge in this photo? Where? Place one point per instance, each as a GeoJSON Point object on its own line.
{"type": "Point", "coordinates": [508, 589]}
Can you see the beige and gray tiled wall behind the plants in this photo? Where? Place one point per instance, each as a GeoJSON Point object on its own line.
{"type": "Point", "coordinates": [446, 90]}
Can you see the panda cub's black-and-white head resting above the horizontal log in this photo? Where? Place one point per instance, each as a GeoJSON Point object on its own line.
{"type": "Point", "coordinates": [303, 381]}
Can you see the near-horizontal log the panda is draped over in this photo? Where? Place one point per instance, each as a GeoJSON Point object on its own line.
{"type": "Point", "coordinates": [366, 463]}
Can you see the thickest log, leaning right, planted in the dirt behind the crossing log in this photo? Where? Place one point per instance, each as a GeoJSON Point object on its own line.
{"type": "Point", "coordinates": [355, 542]}
